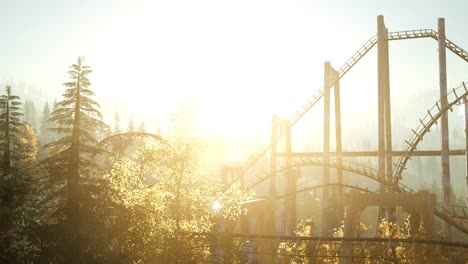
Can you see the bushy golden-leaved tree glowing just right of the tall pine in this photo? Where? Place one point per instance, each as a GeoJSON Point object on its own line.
{"type": "Point", "coordinates": [159, 219]}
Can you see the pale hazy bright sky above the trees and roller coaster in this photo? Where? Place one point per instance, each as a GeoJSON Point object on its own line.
{"type": "Point", "coordinates": [237, 61]}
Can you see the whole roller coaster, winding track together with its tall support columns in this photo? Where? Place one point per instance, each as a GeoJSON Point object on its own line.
{"type": "Point", "coordinates": [453, 215]}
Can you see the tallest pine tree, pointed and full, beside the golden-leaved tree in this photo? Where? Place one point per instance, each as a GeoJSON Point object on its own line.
{"type": "Point", "coordinates": [77, 119]}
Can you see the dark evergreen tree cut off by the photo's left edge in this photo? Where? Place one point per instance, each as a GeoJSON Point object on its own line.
{"type": "Point", "coordinates": [18, 147]}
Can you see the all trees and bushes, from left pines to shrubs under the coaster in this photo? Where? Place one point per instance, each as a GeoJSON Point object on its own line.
{"type": "Point", "coordinates": [65, 198]}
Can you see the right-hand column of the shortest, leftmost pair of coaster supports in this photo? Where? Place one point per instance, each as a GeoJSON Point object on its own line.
{"type": "Point", "coordinates": [291, 181]}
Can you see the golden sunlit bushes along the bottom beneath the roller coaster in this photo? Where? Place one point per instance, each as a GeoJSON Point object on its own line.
{"type": "Point", "coordinates": [303, 251]}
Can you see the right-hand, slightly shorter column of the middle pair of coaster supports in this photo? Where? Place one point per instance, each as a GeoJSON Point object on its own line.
{"type": "Point", "coordinates": [339, 148]}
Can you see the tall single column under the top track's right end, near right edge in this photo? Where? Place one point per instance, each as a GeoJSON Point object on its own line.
{"type": "Point", "coordinates": [445, 158]}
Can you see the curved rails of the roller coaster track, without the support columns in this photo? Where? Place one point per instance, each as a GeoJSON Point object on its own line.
{"type": "Point", "coordinates": [452, 217]}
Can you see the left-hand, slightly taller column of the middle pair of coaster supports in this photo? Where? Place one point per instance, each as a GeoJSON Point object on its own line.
{"type": "Point", "coordinates": [326, 148]}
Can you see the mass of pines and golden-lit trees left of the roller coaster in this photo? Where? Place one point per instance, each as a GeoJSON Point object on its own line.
{"type": "Point", "coordinates": [60, 203]}
